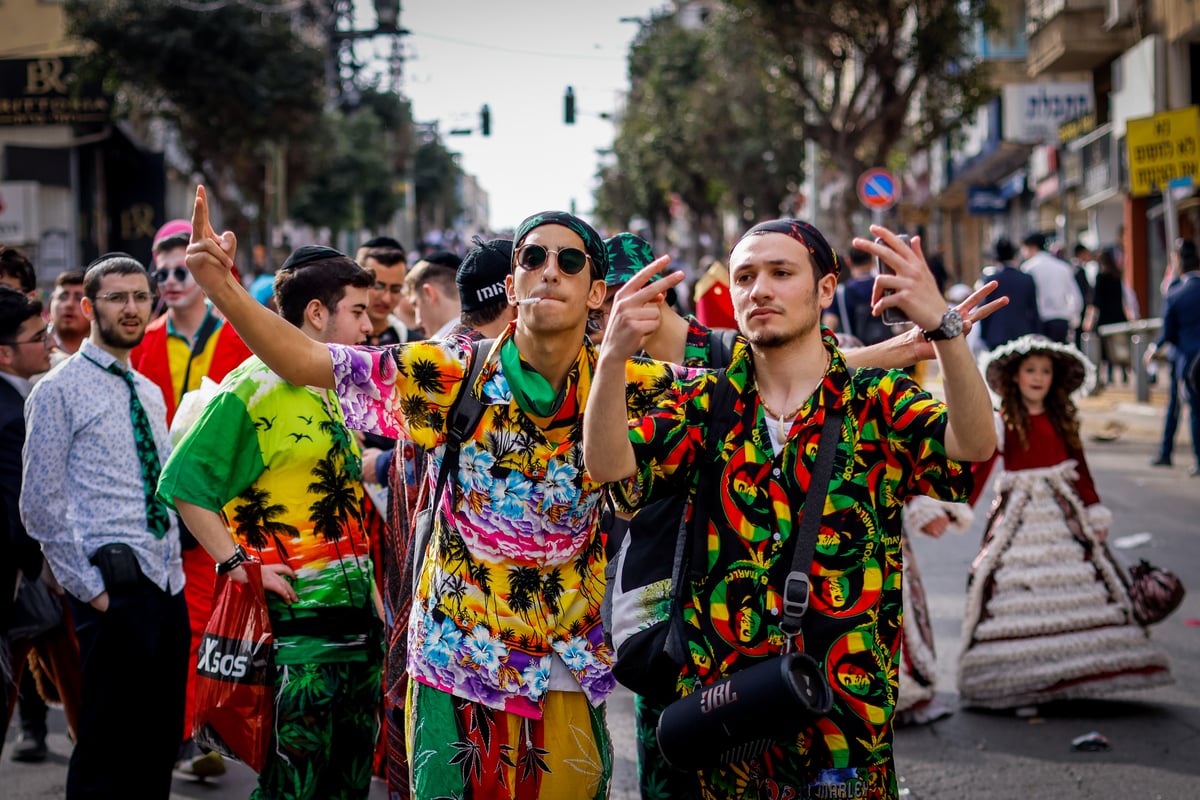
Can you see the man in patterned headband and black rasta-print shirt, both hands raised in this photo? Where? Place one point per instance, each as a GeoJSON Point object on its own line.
{"type": "Point", "coordinates": [891, 442]}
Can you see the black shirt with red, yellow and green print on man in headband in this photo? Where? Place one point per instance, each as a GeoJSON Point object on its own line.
{"type": "Point", "coordinates": [891, 449]}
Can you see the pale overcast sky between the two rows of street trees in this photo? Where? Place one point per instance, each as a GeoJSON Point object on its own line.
{"type": "Point", "coordinates": [519, 58]}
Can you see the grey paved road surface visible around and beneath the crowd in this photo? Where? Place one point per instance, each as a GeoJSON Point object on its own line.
{"type": "Point", "coordinates": [1155, 736]}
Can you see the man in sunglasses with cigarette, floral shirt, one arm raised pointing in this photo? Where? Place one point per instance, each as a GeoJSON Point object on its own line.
{"type": "Point", "coordinates": [508, 660]}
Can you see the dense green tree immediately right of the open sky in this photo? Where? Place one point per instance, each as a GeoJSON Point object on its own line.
{"type": "Point", "coordinates": [699, 127]}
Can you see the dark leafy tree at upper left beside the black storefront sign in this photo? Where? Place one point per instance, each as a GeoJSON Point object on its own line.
{"type": "Point", "coordinates": [231, 81]}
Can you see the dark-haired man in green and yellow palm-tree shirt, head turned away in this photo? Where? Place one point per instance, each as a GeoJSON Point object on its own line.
{"type": "Point", "coordinates": [271, 472]}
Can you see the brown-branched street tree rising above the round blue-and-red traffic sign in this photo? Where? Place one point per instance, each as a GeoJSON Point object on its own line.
{"type": "Point", "coordinates": [875, 77]}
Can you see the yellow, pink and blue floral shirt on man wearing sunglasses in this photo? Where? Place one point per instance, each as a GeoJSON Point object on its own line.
{"type": "Point", "coordinates": [515, 579]}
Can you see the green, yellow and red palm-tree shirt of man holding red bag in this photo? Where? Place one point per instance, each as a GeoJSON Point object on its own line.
{"type": "Point", "coordinates": [280, 466]}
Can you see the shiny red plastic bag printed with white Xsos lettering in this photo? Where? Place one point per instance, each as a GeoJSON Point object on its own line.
{"type": "Point", "coordinates": [236, 672]}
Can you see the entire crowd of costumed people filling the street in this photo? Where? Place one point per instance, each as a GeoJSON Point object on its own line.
{"type": "Point", "coordinates": [167, 449]}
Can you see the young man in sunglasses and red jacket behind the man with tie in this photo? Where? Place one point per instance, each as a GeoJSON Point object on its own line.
{"type": "Point", "coordinates": [181, 348]}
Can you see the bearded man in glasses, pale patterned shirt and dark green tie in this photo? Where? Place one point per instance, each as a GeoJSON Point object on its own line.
{"type": "Point", "coordinates": [97, 438]}
